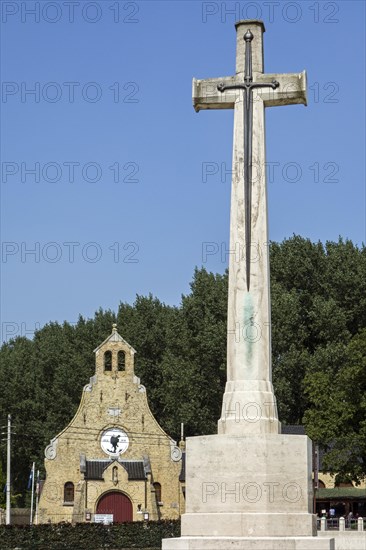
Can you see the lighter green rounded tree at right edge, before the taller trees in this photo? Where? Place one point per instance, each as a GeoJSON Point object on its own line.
{"type": "Point", "coordinates": [336, 417]}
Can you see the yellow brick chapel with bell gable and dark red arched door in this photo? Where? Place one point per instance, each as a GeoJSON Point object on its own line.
{"type": "Point", "coordinates": [113, 462]}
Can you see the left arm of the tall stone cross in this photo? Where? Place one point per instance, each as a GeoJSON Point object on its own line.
{"type": "Point", "coordinates": [205, 94]}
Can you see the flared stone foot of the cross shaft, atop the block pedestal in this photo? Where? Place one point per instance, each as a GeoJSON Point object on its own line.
{"type": "Point", "coordinates": [249, 407]}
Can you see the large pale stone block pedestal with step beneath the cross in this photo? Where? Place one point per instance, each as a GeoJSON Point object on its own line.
{"type": "Point", "coordinates": [249, 492]}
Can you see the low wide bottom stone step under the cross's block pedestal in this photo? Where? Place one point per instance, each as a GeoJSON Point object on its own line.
{"type": "Point", "coordinates": [248, 543]}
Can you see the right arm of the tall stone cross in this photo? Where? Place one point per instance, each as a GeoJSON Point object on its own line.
{"type": "Point", "coordinates": [291, 90]}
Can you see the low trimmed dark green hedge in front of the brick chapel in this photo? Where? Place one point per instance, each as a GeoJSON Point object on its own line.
{"type": "Point", "coordinates": [89, 536]}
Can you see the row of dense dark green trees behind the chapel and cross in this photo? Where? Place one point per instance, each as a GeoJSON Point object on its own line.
{"type": "Point", "coordinates": [318, 350]}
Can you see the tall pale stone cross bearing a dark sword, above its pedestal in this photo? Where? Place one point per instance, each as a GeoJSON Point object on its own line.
{"type": "Point", "coordinates": [249, 404]}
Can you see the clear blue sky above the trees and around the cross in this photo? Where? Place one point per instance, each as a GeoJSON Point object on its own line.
{"type": "Point", "coordinates": [113, 89]}
